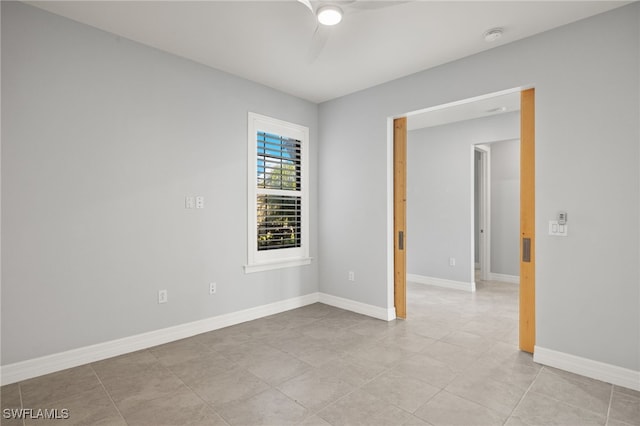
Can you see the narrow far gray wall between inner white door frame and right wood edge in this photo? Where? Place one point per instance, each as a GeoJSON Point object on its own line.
{"type": "Point", "coordinates": [505, 207]}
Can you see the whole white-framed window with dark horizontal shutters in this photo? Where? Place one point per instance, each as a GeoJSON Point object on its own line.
{"type": "Point", "coordinates": [278, 194]}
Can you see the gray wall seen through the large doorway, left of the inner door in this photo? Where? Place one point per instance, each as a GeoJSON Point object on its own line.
{"type": "Point", "coordinates": [439, 193]}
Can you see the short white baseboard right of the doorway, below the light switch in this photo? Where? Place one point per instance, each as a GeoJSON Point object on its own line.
{"type": "Point", "coordinates": [589, 368]}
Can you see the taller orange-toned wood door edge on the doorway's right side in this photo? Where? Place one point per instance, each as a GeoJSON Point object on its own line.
{"type": "Point", "coordinates": [527, 220]}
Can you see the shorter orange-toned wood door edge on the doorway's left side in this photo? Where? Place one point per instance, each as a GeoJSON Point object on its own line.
{"type": "Point", "coordinates": [400, 215]}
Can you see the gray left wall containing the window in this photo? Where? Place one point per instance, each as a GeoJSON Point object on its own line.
{"type": "Point", "coordinates": [102, 139]}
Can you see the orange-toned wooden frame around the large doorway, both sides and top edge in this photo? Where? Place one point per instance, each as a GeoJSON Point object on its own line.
{"type": "Point", "coordinates": [397, 286]}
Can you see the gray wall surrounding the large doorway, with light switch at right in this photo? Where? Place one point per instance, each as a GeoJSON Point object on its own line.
{"type": "Point", "coordinates": [586, 77]}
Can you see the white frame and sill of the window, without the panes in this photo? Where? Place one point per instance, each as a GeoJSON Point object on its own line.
{"type": "Point", "coordinates": [285, 257]}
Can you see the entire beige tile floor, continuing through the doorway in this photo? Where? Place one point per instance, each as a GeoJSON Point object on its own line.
{"type": "Point", "coordinates": [453, 362]}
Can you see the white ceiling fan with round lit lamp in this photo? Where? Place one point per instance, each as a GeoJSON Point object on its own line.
{"type": "Point", "coordinates": [330, 13]}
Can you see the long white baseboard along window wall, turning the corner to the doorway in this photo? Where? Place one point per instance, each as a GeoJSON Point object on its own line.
{"type": "Point", "coordinates": [28, 369]}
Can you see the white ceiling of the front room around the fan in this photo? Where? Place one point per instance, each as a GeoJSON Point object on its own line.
{"type": "Point", "coordinates": [269, 42]}
